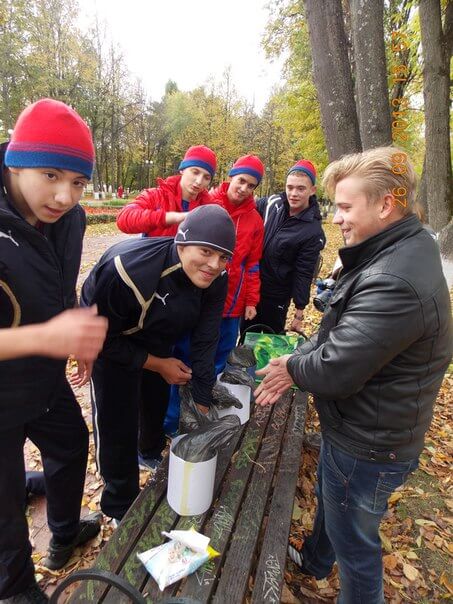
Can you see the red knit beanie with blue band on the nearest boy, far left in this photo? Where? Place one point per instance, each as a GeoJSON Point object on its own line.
{"type": "Point", "coordinates": [49, 134]}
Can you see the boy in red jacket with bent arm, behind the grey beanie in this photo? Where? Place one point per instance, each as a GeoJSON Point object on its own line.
{"type": "Point", "coordinates": [158, 212]}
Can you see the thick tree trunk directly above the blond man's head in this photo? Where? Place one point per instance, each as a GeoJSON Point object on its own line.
{"type": "Point", "coordinates": [332, 76]}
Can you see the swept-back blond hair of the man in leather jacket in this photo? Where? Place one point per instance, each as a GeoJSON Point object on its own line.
{"type": "Point", "coordinates": [379, 168]}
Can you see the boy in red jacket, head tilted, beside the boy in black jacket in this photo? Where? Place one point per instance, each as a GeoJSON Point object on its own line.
{"type": "Point", "coordinates": [236, 196]}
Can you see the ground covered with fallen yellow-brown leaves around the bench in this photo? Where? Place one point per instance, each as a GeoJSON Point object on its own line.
{"type": "Point", "coordinates": [416, 532]}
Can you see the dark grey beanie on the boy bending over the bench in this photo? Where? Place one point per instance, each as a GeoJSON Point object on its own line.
{"type": "Point", "coordinates": [208, 226]}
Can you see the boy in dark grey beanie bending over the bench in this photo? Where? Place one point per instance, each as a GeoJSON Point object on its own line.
{"type": "Point", "coordinates": [154, 291]}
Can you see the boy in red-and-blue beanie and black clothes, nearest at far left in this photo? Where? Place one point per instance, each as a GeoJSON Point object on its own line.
{"type": "Point", "coordinates": [45, 169]}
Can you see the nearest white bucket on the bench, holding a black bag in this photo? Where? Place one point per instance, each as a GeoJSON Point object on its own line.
{"type": "Point", "coordinates": [190, 485]}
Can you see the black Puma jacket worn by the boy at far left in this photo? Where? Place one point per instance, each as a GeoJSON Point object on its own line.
{"type": "Point", "coordinates": [38, 273]}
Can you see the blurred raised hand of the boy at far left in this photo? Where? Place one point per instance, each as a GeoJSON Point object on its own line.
{"type": "Point", "coordinates": [79, 332]}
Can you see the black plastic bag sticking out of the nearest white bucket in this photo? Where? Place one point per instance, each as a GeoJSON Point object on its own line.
{"type": "Point", "coordinates": [202, 443]}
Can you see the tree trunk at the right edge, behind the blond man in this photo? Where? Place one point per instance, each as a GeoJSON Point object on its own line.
{"type": "Point", "coordinates": [436, 81]}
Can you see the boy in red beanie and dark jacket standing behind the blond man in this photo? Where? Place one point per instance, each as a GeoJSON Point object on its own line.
{"type": "Point", "coordinates": [293, 239]}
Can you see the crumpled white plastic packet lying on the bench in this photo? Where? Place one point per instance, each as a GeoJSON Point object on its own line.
{"type": "Point", "coordinates": [182, 555]}
